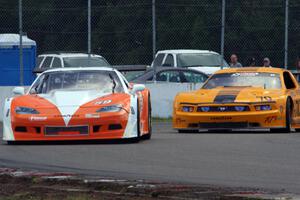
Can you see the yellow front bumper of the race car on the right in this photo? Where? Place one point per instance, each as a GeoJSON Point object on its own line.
{"type": "Point", "coordinates": [229, 120]}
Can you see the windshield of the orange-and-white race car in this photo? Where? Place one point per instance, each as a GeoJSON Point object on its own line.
{"type": "Point", "coordinates": [100, 81]}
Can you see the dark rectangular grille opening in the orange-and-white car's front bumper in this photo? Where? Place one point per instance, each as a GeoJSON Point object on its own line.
{"type": "Point", "coordinates": [72, 130]}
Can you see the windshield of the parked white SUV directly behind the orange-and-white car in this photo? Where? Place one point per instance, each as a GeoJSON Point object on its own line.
{"type": "Point", "coordinates": [85, 62]}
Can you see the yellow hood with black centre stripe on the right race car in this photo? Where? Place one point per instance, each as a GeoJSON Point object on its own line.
{"type": "Point", "coordinates": [223, 95]}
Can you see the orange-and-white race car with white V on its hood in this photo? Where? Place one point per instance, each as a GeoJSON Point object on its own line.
{"type": "Point", "coordinates": [78, 104]}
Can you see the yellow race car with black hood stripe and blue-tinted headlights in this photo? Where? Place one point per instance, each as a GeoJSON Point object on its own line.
{"type": "Point", "coordinates": [241, 98]}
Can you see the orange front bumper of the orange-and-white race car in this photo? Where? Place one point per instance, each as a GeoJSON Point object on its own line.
{"type": "Point", "coordinates": [81, 127]}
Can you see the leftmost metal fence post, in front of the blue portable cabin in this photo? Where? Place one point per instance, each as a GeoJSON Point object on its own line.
{"type": "Point", "coordinates": [21, 44]}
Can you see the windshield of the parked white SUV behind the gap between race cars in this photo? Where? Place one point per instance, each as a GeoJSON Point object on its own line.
{"type": "Point", "coordinates": [200, 60]}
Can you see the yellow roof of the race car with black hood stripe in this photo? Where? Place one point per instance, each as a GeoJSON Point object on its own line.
{"type": "Point", "coordinates": [251, 69]}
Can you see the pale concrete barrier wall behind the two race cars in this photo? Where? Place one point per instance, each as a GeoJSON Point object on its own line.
{"type": "Point", "coordinates": [162, 96]}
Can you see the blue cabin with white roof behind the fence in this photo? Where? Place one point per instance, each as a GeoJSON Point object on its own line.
{"type": "Point", "coordinates": [10, 63]}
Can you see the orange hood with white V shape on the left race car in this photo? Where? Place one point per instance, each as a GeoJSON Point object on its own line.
{"type": "Point", "coordinates": [69, 102]}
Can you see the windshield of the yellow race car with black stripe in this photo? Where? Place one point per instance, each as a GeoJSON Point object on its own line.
{"type": "Point", "coordinates": [245, 79]}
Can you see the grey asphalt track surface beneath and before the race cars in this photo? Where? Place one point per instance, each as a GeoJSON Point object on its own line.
{"type": "Point", "coordinates": [247, 159]}
